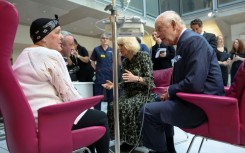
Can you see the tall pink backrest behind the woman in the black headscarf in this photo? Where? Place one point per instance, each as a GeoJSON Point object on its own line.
{"type": "Point", "coordinates": [18, 118]}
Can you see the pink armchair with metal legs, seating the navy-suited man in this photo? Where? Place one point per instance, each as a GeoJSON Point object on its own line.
{"type": "Point", "coordinates": [226, 114]}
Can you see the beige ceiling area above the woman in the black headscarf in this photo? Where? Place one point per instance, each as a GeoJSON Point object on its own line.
{"type": "Point", "coordinates": [74, 18]}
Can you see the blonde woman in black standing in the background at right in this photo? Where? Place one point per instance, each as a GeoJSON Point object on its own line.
{"type": "Point", "coordinates": [223, 58]}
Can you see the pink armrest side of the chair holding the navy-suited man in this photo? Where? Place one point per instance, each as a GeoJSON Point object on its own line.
{"type": "Point", "coordinates": [222, 112]}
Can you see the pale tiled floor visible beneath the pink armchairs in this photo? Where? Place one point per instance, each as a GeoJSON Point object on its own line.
{"type": "Point", "coordinates": [209, 146]}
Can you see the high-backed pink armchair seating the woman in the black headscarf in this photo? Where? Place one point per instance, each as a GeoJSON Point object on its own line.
{"type": "Point", "coordinates": [53, 134]}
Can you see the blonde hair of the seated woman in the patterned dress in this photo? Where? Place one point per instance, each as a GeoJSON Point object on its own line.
{"type": "Point", "coordinates": [130, 43]}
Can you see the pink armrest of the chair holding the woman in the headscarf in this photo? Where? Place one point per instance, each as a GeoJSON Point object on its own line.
{"type": "Point", "coordinates": [55, 122]}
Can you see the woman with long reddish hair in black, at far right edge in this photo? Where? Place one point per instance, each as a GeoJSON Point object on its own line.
{"type": "Point", "coordinates": [237, 55]}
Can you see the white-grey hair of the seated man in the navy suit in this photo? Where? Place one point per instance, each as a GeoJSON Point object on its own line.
{"type": "Point", "coordinates": [170, 16]}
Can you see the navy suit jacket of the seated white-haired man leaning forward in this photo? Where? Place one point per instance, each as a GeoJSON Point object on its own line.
{"type": "Point", "coordinates": [197, 69]}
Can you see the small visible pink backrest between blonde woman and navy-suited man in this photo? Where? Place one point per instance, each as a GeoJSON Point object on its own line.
{"type": "Point", "coordinates": [162, 77]}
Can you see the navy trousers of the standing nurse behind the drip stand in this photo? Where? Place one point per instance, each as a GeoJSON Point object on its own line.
{"type": "Point", "coordinates": [99, 90]}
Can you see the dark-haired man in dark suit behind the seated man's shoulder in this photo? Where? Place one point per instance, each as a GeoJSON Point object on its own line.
{"type": "Point", "coordinates": [197, 26]}
